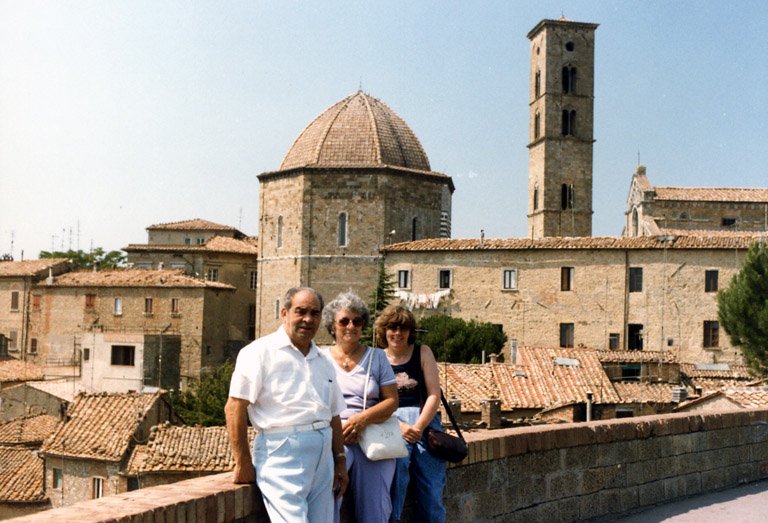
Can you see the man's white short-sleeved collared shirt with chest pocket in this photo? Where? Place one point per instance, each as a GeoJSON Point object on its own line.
{"type": "Point", "coordinates": [285, 388]}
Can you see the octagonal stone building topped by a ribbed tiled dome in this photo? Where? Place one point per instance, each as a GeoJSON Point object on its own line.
{"type": "Point", "coordinates": [354, 180]}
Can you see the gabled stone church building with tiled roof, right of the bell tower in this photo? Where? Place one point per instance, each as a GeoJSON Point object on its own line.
{"type": "Point", "coordinates": [653, 211]}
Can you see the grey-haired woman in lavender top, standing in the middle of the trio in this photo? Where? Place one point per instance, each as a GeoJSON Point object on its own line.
{"type": "Point", "coordinates": [369, 481]}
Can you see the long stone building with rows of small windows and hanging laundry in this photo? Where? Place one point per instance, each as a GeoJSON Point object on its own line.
{"type": "Point", "coordinates": [667, 312]}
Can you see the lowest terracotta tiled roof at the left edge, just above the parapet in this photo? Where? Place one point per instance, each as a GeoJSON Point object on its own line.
{"type": "Point", "coordinates": [21, 475]}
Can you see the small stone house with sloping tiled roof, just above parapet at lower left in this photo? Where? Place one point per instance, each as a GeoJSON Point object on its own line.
{"type": "Point", "coordinates": [86, 454]}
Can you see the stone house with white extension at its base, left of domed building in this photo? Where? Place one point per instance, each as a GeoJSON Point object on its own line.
{"type": "Point", "coordinates": [120, 330]}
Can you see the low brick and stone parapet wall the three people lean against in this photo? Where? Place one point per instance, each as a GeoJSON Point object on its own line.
{"type": "Point", "coordinates": [547, 473]}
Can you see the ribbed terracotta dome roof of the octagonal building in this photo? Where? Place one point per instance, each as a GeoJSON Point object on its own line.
{"type": "Point", "coordinates": [358, 131]}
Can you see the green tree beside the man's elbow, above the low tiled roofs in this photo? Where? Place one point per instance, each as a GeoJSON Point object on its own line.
{"type": "Point", "coordinates": [203, 402]}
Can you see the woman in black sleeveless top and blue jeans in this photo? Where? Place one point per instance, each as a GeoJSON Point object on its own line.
{"type": "Point", "coordinates": [418, 386]}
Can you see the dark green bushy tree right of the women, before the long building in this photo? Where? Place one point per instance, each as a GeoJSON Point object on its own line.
{"type": "Point", "coordinates": [457, 341]}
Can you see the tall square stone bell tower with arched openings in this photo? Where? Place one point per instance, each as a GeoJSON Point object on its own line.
{"type": "Point", "coordinates": [561, 128]}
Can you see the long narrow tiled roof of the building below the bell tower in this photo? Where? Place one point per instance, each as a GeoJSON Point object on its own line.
{"type": "Point", "coordinates": [563, 243]}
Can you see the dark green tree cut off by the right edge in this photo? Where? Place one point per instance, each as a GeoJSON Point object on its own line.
{"type": "Point", "coordinates": [742, 308]}
